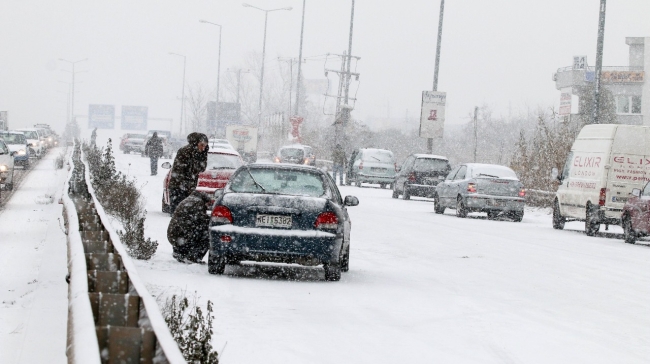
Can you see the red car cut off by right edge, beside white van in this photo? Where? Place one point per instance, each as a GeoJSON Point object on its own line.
{"type": "Point", "coordinates": [636, 215]}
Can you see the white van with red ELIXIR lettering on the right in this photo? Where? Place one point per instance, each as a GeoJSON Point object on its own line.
{"type": "Point", "coordinates": [606, 162]}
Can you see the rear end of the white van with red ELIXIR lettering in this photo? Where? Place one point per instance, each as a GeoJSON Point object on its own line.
{"type": "Point", "coordinates": [630, 166]}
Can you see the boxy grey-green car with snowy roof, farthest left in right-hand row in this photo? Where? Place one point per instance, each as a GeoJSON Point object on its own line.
{"type": "Point", "coordinates": [369, 165]}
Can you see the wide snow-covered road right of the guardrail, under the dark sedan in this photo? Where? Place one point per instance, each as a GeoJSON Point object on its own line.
{"type": "Point", "coordinates": [425, 288]}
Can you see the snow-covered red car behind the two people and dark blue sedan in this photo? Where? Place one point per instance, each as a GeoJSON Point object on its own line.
{"type": "Point", "coordinates": [222, 163]}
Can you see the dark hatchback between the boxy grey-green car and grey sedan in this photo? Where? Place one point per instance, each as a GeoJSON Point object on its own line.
{"type": "Point", "coordinates": [419, 175]}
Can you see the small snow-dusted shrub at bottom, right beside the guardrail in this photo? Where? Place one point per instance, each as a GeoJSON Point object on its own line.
{"type": "Point", "coordinates": [191, 329]}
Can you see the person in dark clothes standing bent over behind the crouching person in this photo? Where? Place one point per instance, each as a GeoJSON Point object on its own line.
{"type": "Point", "coordinates": [190, 160]}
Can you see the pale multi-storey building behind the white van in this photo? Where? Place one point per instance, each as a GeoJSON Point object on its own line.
{"type": "Point", "coordinates": [628, 84]}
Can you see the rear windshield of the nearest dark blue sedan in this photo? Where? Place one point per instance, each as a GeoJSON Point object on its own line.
{"type": "Point", "coordinates": [278, 181]}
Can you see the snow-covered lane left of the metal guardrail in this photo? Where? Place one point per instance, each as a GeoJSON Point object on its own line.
{"type": "Point", "coordinates": [33, 266]}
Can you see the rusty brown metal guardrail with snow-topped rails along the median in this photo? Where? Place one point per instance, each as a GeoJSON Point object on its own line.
{"type": "Point", "coordinates": [111, 316]}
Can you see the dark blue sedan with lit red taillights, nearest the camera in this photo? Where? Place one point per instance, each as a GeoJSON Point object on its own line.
{"type": "Point", "coordinates": [281, 213]}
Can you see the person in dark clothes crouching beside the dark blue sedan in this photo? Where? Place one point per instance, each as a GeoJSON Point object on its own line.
{"type": "Point", "coordinates": [188, 229]}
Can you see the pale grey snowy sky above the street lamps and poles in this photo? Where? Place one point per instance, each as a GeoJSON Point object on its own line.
{"type": "Point", "coordinates": [501, 52]}
